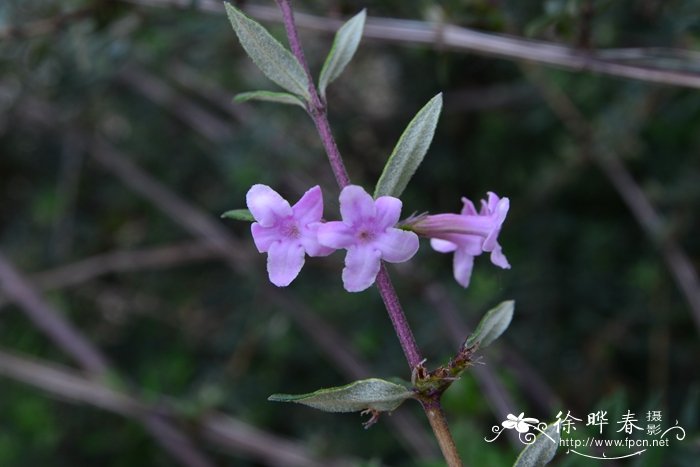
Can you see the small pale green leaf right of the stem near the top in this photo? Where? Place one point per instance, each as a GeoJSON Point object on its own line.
{"type": "Point", "coordinates": [344, 46]}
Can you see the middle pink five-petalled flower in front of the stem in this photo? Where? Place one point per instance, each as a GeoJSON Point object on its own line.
{"type": "Point", "coordinates": [367, 232]}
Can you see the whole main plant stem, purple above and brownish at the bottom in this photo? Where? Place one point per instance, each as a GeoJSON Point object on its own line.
{"type": "Point", "coordinates": [319, 114]}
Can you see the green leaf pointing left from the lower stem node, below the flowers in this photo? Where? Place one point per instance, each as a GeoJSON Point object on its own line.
{"type": "Point", "coordinates": [375, 394]}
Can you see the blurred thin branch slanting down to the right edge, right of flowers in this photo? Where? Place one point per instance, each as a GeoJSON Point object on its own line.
{"type": "Point", "coordinates": [677, 261]}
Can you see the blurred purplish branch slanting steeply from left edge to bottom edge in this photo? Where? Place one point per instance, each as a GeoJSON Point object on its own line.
{"type": "Point", "coordinates": [70, 340]}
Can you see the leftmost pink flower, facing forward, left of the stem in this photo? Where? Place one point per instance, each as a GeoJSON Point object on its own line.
{"type": "Point", "coordinates": [286, 233]}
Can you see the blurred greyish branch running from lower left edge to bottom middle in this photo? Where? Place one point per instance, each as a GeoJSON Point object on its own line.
{"type": "Point", "coordinates": [224, 431]}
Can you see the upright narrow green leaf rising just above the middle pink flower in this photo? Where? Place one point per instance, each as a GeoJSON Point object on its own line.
{"type": "Point", "coordinates": [410, 150]}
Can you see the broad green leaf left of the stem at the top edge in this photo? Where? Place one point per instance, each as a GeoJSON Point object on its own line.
{"type": "Point", "coordinates": [276, 62]}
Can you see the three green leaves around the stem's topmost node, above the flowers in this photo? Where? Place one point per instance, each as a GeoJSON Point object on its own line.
{"type": "Point", "coordinates": [280, 66]}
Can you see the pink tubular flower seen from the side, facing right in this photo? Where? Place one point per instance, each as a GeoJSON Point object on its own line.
{"type": "Point", "coordinates": [468, 234]}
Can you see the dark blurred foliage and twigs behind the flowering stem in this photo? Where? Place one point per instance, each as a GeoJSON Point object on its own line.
{"type": "Point", "coordinates": [120, 147]}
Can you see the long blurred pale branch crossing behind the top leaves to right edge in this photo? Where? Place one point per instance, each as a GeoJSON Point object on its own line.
{"type": "Point", "coordinates": [464, 39]}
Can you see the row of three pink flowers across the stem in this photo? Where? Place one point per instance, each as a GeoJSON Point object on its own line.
{"type": "Point", "coordinates": [368, 232]}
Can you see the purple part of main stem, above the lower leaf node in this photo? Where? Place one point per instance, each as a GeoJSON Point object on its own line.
{"type": "Point", "coordinates": [318, 113]}
